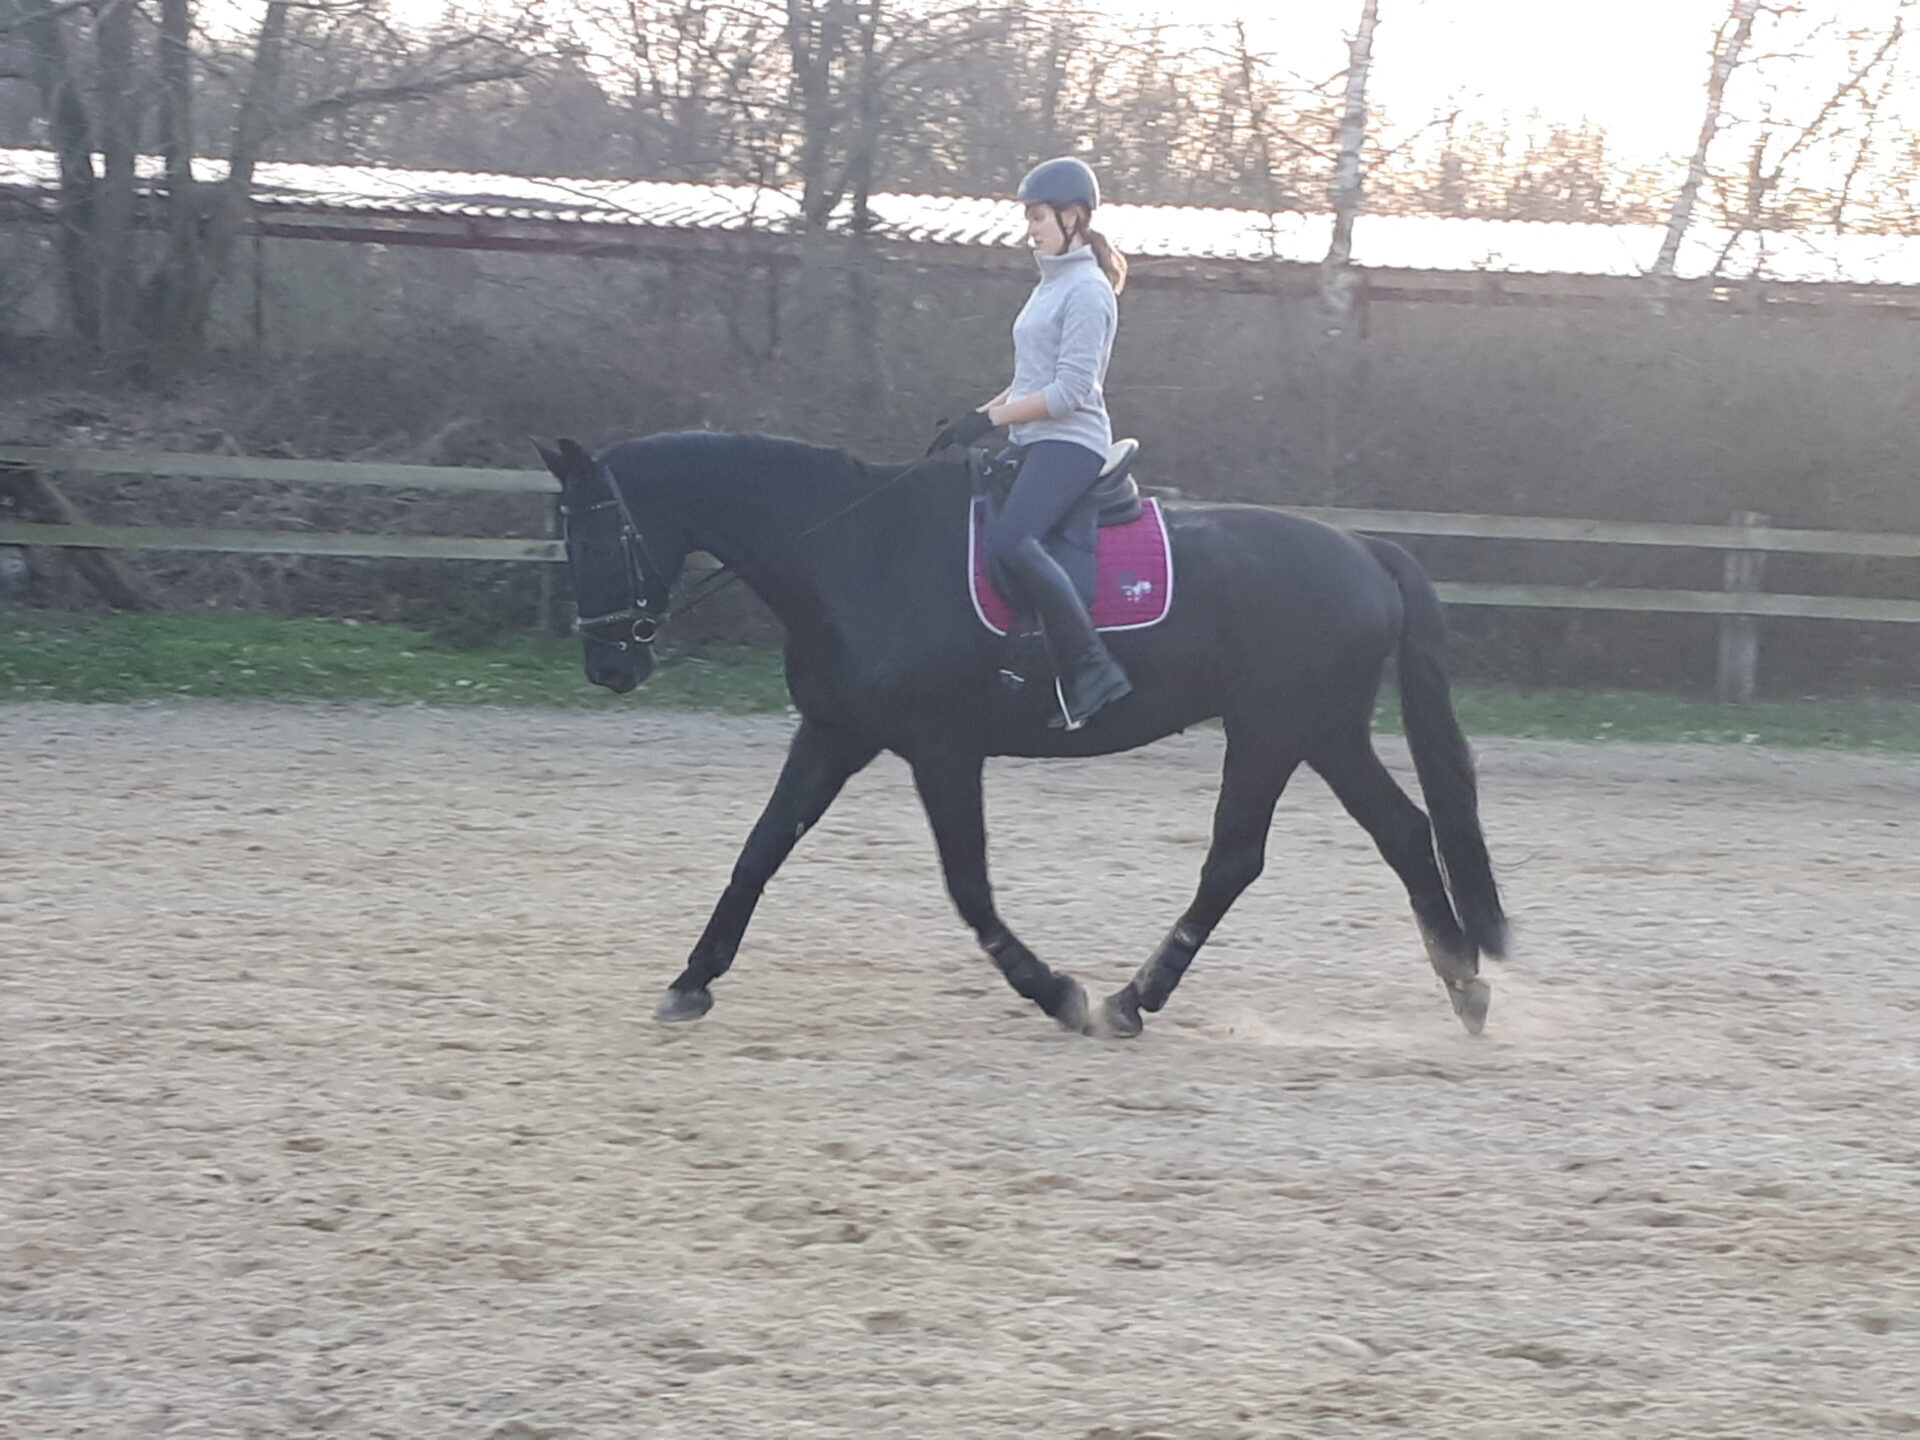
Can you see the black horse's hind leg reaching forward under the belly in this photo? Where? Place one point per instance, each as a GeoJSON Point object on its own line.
{"type": "Point", "coordinates": [1251, 786]}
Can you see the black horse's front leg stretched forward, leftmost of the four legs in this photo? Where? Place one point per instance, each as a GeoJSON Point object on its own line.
{"type": "Point", "coordinates": [821, 761]}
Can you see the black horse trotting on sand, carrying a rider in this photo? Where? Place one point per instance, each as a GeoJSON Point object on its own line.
{"type": "Point", "coordinates": [1282, 629]}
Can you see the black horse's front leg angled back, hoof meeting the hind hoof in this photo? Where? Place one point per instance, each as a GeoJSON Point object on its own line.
{"type": "Point", "coordinates": [949, 790]}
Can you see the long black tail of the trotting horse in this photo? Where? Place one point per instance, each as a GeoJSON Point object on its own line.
{"type": "Point", "coordinates": [1441, 754]}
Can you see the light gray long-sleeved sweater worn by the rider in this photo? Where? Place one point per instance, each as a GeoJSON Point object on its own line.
{"type": "Point", "coordinates": [1063, 341]}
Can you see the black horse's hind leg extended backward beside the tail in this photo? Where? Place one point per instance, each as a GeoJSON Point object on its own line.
{"type": "Point", "coordinates": [1404, 838]}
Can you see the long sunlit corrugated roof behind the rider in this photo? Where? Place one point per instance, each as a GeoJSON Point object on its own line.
{"type": "Point", "coordinates": [1172, 233]}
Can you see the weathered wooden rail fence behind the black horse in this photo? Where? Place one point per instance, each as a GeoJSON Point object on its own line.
{"type": "Point", "coordinates": [1742, 604]}
